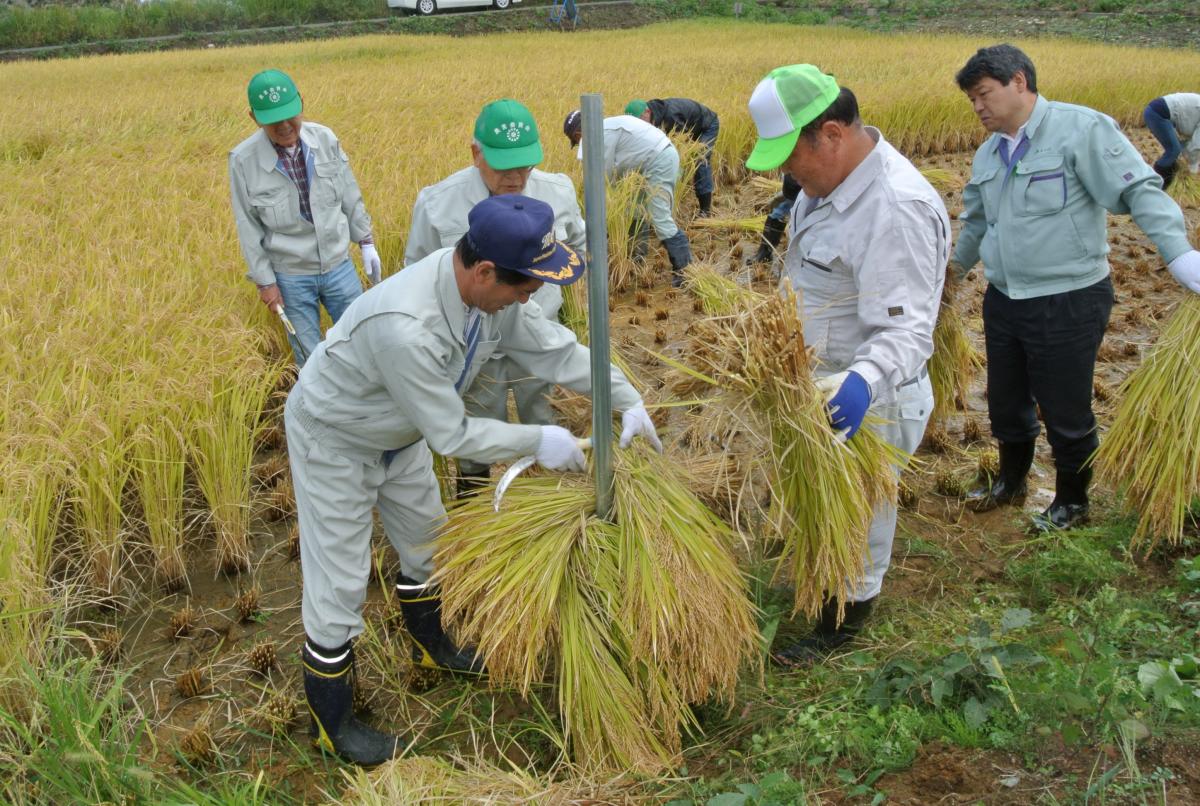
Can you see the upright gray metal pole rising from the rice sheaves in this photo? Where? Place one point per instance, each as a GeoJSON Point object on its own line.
{"type": "Point", "coordinates": [592, 106]}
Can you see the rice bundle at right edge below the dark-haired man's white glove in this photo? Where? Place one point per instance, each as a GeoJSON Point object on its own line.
{"type": "Point", "coordinates": [1153, 452]}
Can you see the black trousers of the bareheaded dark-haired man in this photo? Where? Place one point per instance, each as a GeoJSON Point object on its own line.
{"type": "Point", "coordinates": [1042, 353]}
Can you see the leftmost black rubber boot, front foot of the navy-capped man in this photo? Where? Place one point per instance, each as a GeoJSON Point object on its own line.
{"type": "Point", "coordinates": [329, 691]}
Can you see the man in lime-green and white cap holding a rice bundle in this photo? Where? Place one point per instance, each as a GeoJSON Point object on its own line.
{"type": "Point", "coordinates": [868, 252]}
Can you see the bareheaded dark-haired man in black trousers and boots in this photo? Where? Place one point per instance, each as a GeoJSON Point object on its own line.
{"type": "Point", "coordinates": [1035, 213]}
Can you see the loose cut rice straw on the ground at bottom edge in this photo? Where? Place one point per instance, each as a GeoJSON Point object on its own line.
{"type": "Point", "coordinates": [435, 780]}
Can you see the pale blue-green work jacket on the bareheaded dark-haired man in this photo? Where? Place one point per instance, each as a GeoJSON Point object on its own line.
{"type": "Point", "coordinates": [1040, 224]}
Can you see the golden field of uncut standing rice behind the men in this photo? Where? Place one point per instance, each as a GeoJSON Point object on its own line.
{"type": "Point", "coordinates": [136, 360]}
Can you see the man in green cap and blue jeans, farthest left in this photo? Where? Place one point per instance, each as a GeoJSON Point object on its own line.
{"type": "Point", "coordinates": [298, 207]}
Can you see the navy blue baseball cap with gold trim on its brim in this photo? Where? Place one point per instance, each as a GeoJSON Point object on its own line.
{"type": "Point", "coordinates": [518, 233]}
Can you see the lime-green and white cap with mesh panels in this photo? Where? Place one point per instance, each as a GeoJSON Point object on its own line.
{"type": "Point", "coordinates": [785, 103]}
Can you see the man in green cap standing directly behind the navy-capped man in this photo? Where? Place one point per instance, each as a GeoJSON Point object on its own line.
{"type": "Point", "coordinates": [505, 151]}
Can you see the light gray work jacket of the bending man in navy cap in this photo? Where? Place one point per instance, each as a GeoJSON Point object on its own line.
{"type": "Point", "coordinates": [391, 371]}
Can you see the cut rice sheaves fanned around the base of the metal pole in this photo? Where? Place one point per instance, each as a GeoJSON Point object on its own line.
{"type": "Point", "coordinates": [637, 618]}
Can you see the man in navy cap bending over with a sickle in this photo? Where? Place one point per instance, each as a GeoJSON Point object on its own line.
{"type": "Point", "coordinates": [381, 392]}
